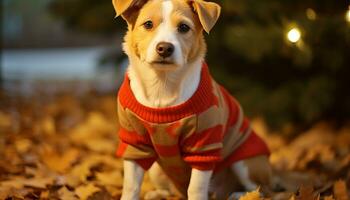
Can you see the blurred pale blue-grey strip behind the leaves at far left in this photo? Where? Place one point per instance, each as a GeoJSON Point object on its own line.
{"type": "Point", "coordinates": [67, 63]}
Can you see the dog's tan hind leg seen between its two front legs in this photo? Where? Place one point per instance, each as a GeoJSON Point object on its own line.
{"type": "Point", "coordinates": [160, 181]}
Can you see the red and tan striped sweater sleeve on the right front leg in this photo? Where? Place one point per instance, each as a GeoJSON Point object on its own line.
{"type": "Point", "coordinates": [202, 150]}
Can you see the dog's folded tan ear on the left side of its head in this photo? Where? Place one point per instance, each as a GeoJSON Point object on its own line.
{"type": "Point", "coordinates": [128, 9]}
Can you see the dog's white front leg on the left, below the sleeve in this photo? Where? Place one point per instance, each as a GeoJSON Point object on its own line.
{"type": "Point", "coordinates": [133, 176]}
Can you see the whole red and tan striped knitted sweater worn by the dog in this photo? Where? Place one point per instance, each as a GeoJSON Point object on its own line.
{"type": "Point", "coordinates": [207, 132]}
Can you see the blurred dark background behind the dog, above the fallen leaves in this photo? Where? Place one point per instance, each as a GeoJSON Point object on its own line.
{"type": "Point", "coordinates": [287, 62]}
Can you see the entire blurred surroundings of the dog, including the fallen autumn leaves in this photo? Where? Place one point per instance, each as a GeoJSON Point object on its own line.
{"type": "Point", "coordinates": [286, 61]}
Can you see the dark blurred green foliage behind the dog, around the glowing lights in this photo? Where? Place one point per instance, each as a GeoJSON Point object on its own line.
{"type": "Point", "coordinates": [249, 53]}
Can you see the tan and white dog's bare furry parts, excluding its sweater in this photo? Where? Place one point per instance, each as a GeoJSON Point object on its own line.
{"type": "Point", "coordinates": [166, 49]}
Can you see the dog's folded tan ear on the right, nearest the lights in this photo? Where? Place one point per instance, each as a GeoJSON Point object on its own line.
{"type": "Point", "coordinates": [208, 13]}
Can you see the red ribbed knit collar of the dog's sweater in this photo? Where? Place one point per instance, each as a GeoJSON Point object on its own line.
{"type": "Point", "coordinates": [201, 100]}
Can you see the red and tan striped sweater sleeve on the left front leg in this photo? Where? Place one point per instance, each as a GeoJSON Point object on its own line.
{"type": "Point", "coordinates": [132, 144]}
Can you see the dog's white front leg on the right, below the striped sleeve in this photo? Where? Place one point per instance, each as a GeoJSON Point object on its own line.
{"type": "Point", "coordinates": [199, 185]}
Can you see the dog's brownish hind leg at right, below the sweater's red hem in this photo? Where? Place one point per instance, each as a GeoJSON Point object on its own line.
{"type": "Point", "coordinates": [254, 172]}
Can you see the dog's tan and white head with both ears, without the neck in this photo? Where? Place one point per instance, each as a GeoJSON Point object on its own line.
{"type": "Point", "coordinates": [166, 34]}
